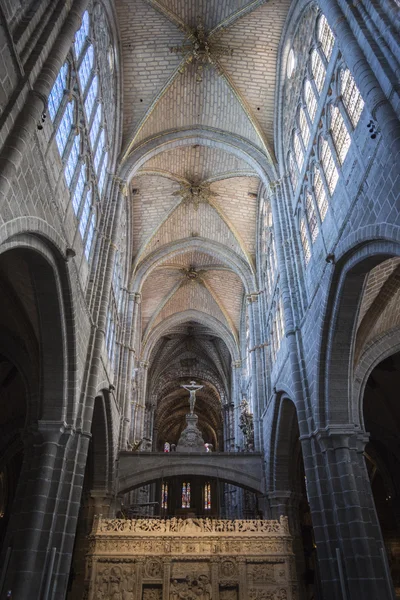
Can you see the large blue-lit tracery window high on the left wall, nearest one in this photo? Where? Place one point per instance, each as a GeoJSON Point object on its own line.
{"type": "Point", "coordinates": [67, 119]}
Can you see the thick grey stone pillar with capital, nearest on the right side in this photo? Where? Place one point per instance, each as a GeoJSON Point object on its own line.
{"type": "Point", "coordinates": [350, 548]}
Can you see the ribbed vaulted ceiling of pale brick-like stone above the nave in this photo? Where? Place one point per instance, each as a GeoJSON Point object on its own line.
{"type": "Point", "coordinates": [195, 72]}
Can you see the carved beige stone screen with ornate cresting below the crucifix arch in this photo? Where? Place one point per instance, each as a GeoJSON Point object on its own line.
{"type": "Point", "coordinates": [190, 559]}
